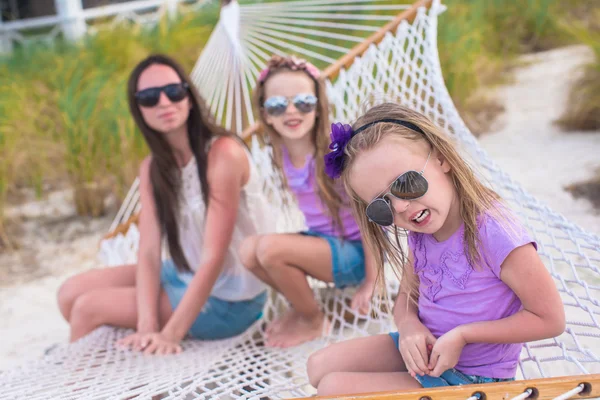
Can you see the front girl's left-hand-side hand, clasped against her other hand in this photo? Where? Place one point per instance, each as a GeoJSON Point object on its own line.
{"type": "Point", "coordinates": [415, 341]}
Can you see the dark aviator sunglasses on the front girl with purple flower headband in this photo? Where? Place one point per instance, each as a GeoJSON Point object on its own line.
{"type": "Point", "coordinates": [411, 185]}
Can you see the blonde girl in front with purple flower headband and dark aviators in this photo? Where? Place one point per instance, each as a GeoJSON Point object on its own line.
{"type": "Point", "coordinates": [473, 287]}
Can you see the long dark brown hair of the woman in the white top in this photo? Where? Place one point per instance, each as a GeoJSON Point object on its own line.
{"type": "Point", "coordinates": [164, 173]}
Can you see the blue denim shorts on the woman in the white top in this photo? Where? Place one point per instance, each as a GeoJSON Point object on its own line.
{"type": "Point", "coordinates": [219, 319]}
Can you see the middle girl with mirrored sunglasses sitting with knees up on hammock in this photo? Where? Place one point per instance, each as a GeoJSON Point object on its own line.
{"type": "Point", "coordinates": [293, 108]}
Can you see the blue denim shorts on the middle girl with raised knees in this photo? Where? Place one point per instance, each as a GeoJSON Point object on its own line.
{"type": "Point", "coordinates": [348, 258]}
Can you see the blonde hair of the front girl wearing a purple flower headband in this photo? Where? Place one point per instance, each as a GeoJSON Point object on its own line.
{"type": "Point", "coordinates": [474, 197]}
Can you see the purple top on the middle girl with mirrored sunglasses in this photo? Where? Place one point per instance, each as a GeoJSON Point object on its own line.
{"type": "Point", "coordinates": [302, 183]}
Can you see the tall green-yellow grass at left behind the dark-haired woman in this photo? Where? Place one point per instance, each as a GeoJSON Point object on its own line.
{"type": "Point", "coordinates": [63, 108]}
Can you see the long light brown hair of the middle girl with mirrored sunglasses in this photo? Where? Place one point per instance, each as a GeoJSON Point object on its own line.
{"type": "Point", "coordinates": [327, 190]}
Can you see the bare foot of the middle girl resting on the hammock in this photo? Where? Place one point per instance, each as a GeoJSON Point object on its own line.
{"type": "Point", "coordinates": [295, 329]}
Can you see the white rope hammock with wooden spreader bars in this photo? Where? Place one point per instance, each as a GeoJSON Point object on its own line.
{"type": "Point", "coordinates": [401, 61]}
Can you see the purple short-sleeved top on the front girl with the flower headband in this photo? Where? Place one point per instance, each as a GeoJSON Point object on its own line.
{"type": "Point", "coordinates": [453, 293]}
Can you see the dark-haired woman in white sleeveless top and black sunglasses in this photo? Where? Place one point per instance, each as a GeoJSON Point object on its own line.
{"type": "Point", "coordinates": [201, 194]}
